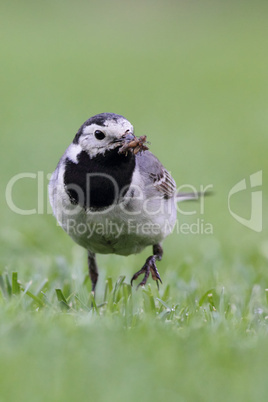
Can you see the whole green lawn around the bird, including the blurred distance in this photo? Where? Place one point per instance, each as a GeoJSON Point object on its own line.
{"type": "Point", "coordinates": [193, 78]}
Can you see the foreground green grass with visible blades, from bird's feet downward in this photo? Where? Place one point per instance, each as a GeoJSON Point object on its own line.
{"type": "Point", "coordinates": [140, 344]}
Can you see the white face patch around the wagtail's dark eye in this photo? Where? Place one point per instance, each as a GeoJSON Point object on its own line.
{"type": "Point", "coordinates": [113, 130]}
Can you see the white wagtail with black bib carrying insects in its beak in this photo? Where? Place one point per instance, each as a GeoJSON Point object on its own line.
{"type": "Point", "coordinates": [112, 195]}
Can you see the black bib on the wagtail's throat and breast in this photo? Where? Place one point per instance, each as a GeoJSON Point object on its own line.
{"type": "Point", "coordinates": [98, 182]}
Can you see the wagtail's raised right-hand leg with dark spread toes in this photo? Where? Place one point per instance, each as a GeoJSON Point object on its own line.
{"type": "Point", "coordinates": [150, 266]}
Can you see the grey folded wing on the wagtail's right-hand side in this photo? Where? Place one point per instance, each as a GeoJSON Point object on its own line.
{"type": "Point", "coordinates": [155, 174]}
